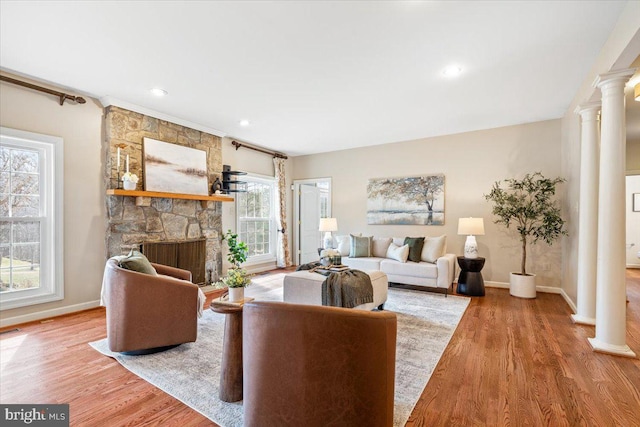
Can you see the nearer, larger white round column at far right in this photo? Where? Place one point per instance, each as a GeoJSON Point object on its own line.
{"type": "Point", "coordinates": [611, 310]}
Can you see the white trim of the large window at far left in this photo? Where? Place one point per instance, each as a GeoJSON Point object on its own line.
{"type": "Point", "coordinates": [52, 241]}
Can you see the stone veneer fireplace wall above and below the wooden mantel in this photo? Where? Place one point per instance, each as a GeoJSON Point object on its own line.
{"type": "Point", "coordinates": [158, 219]}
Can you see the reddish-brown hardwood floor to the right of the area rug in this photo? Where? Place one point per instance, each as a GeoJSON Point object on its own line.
{"type": "Point", "coordinates": [523, 362]}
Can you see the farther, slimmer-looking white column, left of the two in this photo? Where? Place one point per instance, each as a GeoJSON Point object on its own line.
{"type": "Point", "coordinates": [588, 216]}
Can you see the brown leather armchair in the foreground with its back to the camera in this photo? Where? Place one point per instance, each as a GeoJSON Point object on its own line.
{"type": "Point", "coordinates": [317, 366]}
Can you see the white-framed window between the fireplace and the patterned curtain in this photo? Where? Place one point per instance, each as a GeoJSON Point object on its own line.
{"type": "Point", "coordinates": [255, 217]}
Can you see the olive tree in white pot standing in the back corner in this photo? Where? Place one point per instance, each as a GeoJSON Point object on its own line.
{"type": "Point", "coordinates": [527, 206]}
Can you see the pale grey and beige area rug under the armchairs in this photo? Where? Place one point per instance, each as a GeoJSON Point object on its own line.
{"type": "Point", "coordinates": [191, 372]}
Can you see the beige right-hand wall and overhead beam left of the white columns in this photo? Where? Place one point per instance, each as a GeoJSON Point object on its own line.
{"type": "Point", "coordinates": [620, 50]}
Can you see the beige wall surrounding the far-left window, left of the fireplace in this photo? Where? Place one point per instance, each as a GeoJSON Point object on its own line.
{"type": "Point", "coordinates": [84, 199]}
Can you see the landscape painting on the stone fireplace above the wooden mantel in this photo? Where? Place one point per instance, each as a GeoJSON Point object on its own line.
{"type": "Point", "coordinates": [172, 168]}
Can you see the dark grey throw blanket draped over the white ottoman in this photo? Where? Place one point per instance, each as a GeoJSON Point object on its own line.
{"type": "Point", "coordinates": [348, 288]}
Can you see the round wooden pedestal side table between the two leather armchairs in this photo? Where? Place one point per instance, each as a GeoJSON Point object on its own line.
{"type": "Point", "coordinates": [231, 367]}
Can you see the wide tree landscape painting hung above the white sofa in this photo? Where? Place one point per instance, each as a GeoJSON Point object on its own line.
{"type": "Point", "coordinates": [417, 200]}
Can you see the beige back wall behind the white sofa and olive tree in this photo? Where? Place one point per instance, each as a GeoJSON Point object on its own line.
{"type": "Point", "coordinates": [471, 163]}
